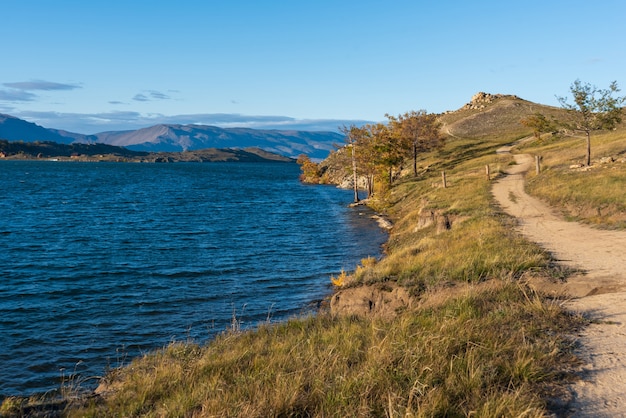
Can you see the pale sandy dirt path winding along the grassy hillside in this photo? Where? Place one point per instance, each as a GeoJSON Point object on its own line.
{"type": "Point", "coordinates": [598, 292]}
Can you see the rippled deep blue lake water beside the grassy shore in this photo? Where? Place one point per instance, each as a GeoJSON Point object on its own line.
{"type": "Point", "coordinates": [101, 262]}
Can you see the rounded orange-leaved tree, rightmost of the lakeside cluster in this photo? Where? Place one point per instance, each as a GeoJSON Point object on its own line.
{"type": "Point", "coordinates": [418, 132]}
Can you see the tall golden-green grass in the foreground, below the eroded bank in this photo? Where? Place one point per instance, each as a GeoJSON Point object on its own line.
{"type": "Point", "coordinates": [484, 353]}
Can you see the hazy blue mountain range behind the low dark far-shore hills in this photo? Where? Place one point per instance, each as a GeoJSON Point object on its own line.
{"type": "Point", "coordinates": [176, 138]}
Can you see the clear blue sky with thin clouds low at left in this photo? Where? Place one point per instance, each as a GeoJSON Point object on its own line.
{"type": "Point", "coordinates": [92, 66]}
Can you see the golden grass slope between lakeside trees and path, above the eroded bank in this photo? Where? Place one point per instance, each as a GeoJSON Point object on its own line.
{"type": "Point", "coordinates": [454, 234]}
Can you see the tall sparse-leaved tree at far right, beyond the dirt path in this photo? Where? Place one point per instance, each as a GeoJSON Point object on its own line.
{"type": "Point", "coordinates": [593, 109]}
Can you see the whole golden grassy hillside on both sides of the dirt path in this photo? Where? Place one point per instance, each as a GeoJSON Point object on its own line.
{"type": "Point", "coordinates": [456, 330]}
